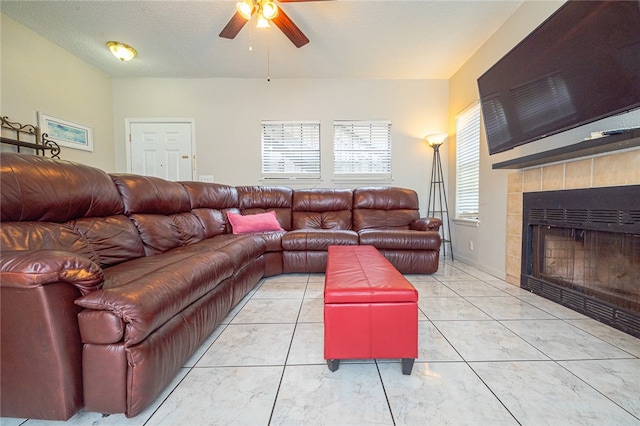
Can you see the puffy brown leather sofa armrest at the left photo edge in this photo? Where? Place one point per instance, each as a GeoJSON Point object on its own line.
{"type": "Point", "coordinates": [33, 268]}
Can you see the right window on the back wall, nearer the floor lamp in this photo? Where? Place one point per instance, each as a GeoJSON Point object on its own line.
{"type": "Point", "coordinates": [362, 149]}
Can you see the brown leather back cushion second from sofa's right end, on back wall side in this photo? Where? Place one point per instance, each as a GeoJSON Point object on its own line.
{"type": "Point", "coordinates": [322, 209]}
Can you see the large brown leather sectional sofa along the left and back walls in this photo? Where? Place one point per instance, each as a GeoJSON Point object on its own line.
{"type": "Point", "coordinates": [109, 283]}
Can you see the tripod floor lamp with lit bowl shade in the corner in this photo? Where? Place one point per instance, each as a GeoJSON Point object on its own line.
{"type": "Point", "coordinates": [437, 204]}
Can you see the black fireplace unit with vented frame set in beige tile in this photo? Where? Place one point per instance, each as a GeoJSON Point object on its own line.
{"type": "Point", "coordinates": [581, 249]}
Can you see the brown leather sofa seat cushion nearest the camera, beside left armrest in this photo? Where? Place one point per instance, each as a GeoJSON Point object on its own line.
{"type": "Point", "coordinates": [147, 292]}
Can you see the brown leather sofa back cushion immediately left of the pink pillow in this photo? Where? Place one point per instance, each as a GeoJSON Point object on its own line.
{"type": "Point", "coordinates": [210, 202]}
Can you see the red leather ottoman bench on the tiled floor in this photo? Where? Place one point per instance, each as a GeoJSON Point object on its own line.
{"type": "Point", "coordinates": [370, 309]}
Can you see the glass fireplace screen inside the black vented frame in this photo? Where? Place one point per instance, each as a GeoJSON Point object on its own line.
{"type": "Point", "coordinates": [604, 265]}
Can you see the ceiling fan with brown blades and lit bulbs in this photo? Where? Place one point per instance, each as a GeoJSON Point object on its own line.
{"type": "Point", "coordinates": [267, 11]}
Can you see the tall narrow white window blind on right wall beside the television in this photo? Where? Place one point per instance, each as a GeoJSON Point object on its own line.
{"type": "Point", "coordinates": [468, 162]}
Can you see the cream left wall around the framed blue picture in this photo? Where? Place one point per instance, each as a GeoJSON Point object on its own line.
{"type": "Point", "coordinates": [37, 75]}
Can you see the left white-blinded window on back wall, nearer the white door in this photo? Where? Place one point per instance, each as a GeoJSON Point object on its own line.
{"type": "Point", "coordinates": [290, 149]}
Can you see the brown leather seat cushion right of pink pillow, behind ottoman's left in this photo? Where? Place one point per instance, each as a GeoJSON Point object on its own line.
{"type": "Point", "coordinates": [317, 239]}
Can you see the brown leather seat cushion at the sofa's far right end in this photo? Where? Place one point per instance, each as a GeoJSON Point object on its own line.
{"type": "Point", "coordinates": [400, 239]}
